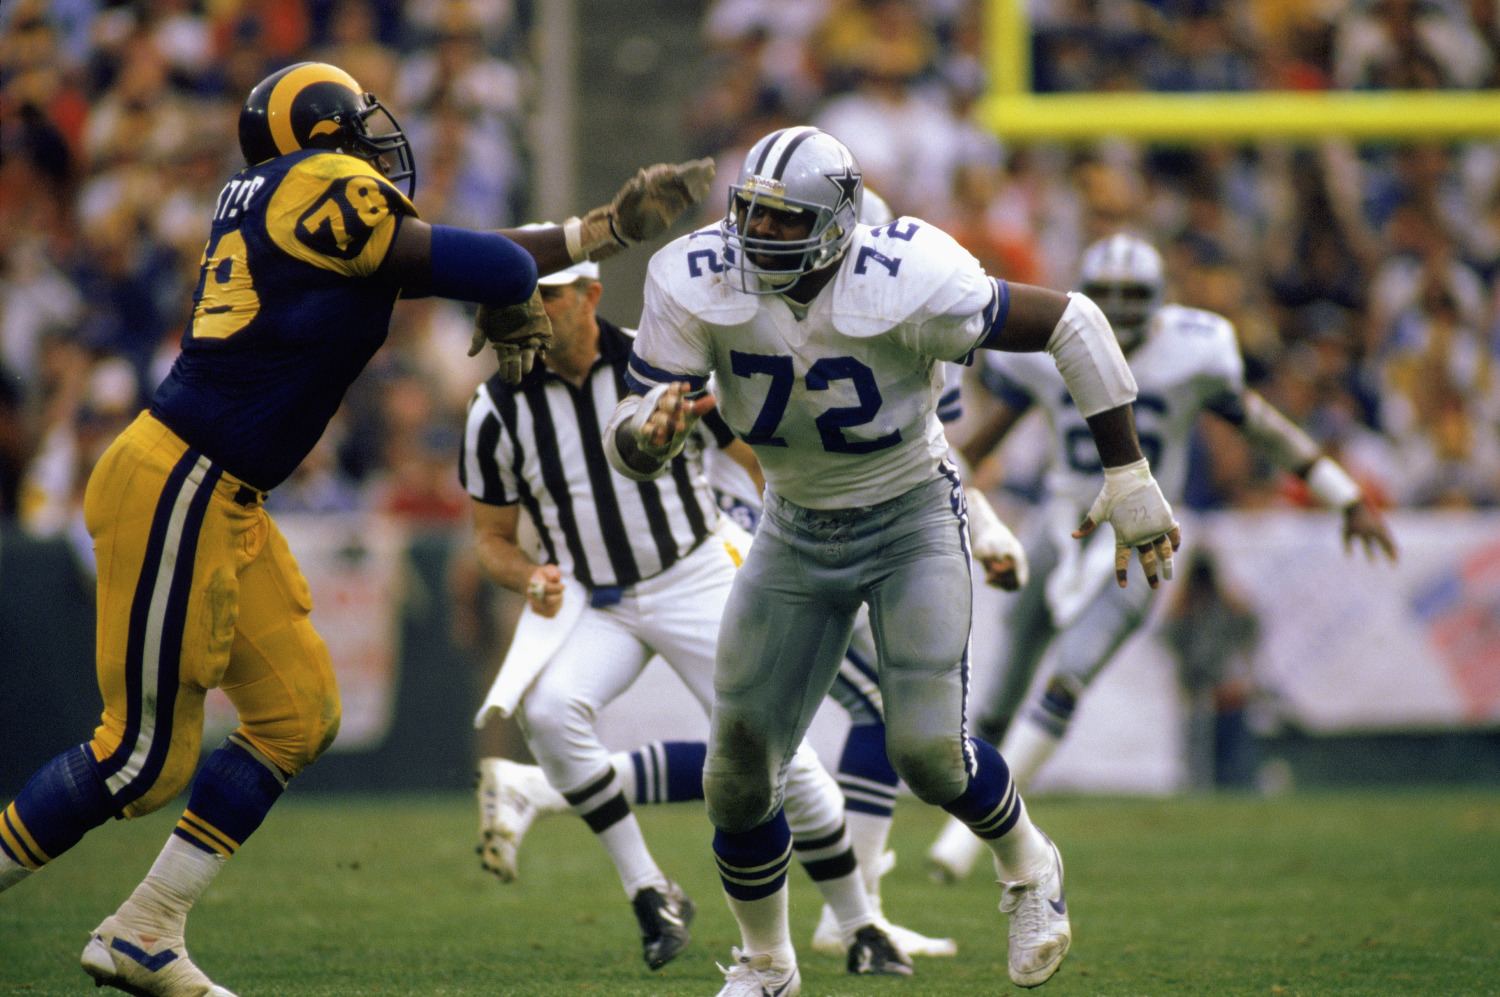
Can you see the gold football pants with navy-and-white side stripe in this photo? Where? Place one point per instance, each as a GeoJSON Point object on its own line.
{"type": "Point", "coordinates": [197, 590]}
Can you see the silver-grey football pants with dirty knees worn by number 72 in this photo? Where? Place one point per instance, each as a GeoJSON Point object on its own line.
{"type": "Point", "coordinates": [788, 623]}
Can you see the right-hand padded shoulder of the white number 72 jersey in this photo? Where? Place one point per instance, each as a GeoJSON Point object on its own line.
{"type": "Point", "coordinates": [934, 272]}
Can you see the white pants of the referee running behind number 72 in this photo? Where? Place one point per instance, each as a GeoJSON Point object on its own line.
{"type": "Point", "coordinates": [676, 615]}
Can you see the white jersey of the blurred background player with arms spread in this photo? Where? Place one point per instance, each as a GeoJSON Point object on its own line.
{"type": "Point", "coordinates": [1189, 358]}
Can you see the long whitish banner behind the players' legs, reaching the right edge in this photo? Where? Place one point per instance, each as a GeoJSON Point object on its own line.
{"type": "Point", "coordinates": [1346, 645]}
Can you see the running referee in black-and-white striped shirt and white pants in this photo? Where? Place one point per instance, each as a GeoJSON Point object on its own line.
{"type": "Point", "coordinates": [655, 572]}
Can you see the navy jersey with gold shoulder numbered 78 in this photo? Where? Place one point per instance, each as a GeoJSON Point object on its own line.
{"type": "Point", "coordinates": [287, 311]}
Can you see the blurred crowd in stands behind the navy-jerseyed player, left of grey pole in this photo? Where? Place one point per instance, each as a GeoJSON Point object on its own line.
{"type": "Point", "coordinates": [118, 130]}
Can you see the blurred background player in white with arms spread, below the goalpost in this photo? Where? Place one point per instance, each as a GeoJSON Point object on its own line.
{"type": "Point", "coordinates": [1187, 362]}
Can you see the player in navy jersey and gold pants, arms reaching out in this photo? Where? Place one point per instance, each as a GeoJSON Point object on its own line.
{"type": "Point", "coordinates": [310, 248]}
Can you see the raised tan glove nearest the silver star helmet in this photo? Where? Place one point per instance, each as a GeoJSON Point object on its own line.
{"type": "Point", "coordinates": [643, 209]}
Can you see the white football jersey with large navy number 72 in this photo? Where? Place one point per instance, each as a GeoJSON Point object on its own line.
{"type": "Point", "coordinates": [839, 400]}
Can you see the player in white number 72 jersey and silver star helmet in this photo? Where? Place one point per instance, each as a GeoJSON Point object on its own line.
{"type": "Point", "coordinates": [827, 340]}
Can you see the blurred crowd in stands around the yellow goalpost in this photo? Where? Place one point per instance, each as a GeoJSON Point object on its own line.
{"type": "Point", "coordinates": [1363, 280]}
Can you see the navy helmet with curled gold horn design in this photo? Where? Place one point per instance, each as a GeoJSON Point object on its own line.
{"type": "Point", "coordinates": [316, 106]}
